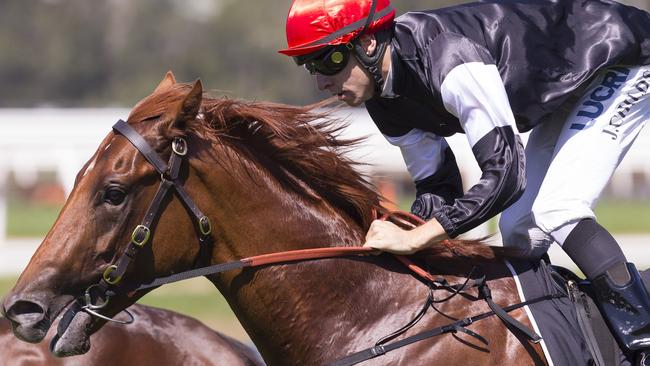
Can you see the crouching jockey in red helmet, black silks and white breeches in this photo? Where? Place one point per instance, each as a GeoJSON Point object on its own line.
{"type": "Point", "coordinates": [574, 73]}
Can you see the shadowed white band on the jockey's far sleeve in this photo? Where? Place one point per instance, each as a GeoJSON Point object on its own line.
{"type": "Point", "coordinates": [422, 152]}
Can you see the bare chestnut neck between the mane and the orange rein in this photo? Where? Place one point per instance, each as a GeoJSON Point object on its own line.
{"type": "Point", "coordinates": [256, 214]}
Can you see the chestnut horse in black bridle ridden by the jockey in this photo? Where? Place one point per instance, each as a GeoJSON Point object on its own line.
{"type": "Point", "coordinates": [271, 178]}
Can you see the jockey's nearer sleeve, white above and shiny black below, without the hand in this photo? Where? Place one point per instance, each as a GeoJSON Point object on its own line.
{"type": "Point", "coordinates": [475, 94]}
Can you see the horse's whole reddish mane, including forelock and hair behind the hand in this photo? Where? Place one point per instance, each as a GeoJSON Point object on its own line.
{"type": "Point", "coordinates": [305, 141]}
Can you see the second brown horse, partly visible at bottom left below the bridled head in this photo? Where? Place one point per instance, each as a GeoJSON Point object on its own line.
{"type": "Point", "coordinates": [156, 334]}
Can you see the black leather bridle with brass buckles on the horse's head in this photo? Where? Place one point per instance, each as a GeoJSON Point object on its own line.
{"type": "Point", "coordinates": [98, 295]}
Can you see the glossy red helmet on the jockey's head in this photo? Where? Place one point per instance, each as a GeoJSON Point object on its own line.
{"type": "Point", "coordinates": [314, 24]}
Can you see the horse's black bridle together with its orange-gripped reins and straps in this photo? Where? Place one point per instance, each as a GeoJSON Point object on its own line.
{"type": "Point", "coordinates": [98, 295]}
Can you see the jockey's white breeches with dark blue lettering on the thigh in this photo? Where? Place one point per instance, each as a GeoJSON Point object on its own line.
{"type": "Point", "coordinates": [569, 162]}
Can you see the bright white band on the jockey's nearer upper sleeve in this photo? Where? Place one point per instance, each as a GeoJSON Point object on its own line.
{"type": "Point", "coordinates": [474, 93]}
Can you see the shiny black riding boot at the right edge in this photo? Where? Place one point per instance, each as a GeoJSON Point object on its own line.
{"type": "Point", "coordinates": [624, 302]}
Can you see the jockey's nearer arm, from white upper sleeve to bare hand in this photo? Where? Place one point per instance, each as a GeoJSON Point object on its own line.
{"type": "Point", "coordinates": [475, 94]}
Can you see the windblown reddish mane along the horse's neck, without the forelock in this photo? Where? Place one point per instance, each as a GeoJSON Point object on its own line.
{"type": "Point", "coordinates": [301, 140]}
